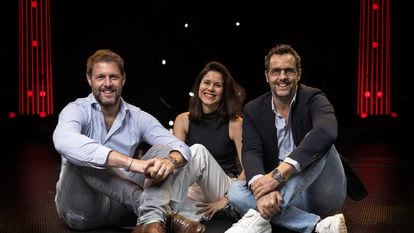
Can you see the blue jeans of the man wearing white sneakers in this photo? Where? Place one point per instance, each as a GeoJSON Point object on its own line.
{"type": "Point", "coordinates": [308, 196]}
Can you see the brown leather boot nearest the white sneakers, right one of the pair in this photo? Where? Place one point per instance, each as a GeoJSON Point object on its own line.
{"type": "Point", "coordinates": [181, 224]}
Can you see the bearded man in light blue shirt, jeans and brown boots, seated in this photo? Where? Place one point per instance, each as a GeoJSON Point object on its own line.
{"type": "Point", "coordinates": [101, 183]}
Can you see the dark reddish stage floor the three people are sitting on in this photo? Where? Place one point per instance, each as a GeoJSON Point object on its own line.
{"type": "Point", "coordinates": [30, 167]}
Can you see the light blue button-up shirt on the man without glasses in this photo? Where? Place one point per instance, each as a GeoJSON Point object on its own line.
{"type": "Point", "coordinates": [82, 137]}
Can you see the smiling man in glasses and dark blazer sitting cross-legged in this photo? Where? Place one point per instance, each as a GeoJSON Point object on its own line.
{"type": "Point", "coordinates": [295, 177]}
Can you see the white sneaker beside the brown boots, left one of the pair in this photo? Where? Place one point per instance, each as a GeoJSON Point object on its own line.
{"type": "Point", "coordinates": [251, 222]}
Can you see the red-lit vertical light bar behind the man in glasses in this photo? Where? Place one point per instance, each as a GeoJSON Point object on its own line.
{"type": "Point", "coordinates": [374, 81]}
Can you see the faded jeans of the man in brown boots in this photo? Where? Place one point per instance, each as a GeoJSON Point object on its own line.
{"type": "Point", "coordinates": [88, 198]}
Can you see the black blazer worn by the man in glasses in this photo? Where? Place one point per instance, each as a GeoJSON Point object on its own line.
{"type": "Point", "coordinates": [314, 129]}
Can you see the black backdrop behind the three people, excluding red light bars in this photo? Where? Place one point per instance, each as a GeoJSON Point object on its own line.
{"type": "Point", "coordinates": [144, 32]}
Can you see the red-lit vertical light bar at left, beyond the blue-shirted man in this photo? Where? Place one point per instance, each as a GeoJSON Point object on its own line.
{"type": "Point", "coordinates": [35, 64]}
